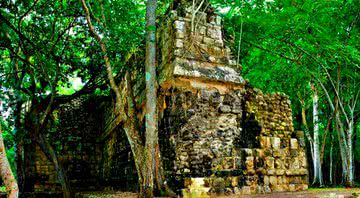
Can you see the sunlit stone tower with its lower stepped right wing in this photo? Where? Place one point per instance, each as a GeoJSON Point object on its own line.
{"type": "Point", "coordinates": [218, 134]}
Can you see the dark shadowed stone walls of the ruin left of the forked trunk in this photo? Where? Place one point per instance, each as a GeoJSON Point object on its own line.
{"type": "Point", "coordinates": [90, 144]}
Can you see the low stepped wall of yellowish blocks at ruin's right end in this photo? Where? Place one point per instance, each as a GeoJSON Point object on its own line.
{"type": "Point", "coordinates": [279, 161]}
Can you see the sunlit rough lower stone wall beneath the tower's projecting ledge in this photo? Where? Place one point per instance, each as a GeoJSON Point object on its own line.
{"type": "Point", "coordinates": [242, 136]}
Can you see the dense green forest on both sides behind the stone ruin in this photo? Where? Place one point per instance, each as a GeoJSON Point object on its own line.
{"type": "Point", "coordinates": [307, 49]}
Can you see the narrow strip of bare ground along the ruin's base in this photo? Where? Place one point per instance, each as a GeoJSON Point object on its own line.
{"type": "Point", "coordinates": [311, 193]}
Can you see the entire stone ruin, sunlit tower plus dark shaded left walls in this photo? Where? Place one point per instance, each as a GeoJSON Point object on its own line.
{"type": "Point", "coordinates": [217, 133]}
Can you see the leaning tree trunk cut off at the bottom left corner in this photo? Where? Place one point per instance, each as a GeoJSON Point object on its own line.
{"type": "Point", "coordinates": [6, 173]}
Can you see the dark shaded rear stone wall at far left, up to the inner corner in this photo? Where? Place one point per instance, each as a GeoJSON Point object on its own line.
{"type": "Point", "coordinates": [74, 138]}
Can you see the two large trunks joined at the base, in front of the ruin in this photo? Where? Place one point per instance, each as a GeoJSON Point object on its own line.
{"type": "Point", "coordinates": [146, 155]}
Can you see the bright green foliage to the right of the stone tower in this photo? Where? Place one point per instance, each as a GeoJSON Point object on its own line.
{"type": "Point", "coordinates": [288, 44]}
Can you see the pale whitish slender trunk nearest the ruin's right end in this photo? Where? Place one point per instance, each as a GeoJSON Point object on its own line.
{"type": "Point", "coordinates": [316, 141]}
